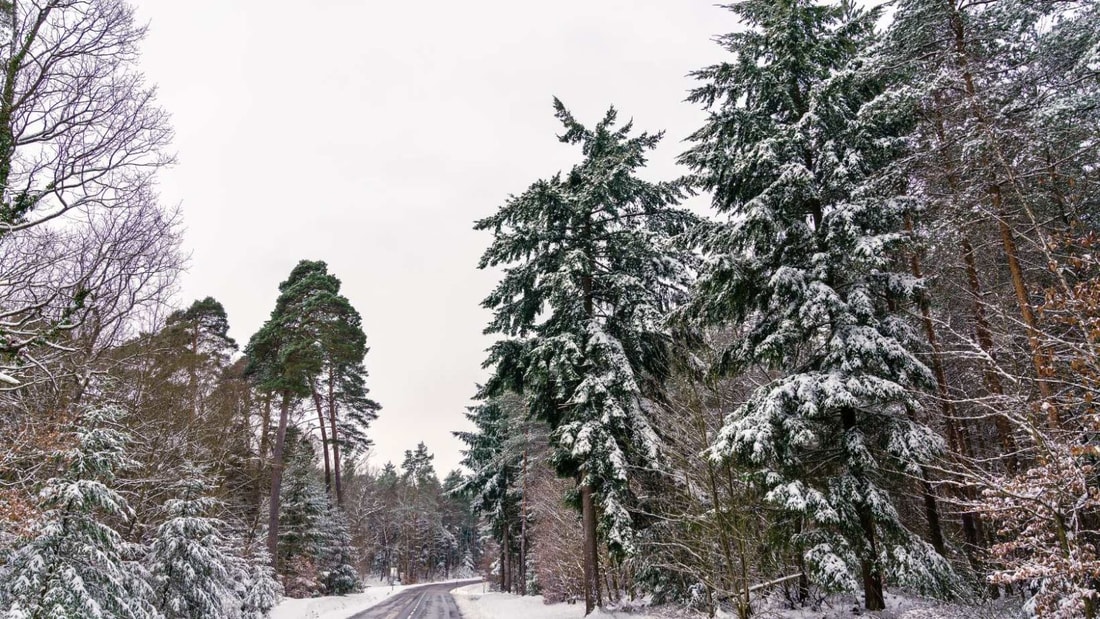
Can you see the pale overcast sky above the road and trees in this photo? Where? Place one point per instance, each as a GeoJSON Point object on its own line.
{"type": "Point", "coordinates": [371, 135]}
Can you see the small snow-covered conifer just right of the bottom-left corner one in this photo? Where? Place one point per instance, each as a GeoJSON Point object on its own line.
{"type": "Point", "coordinates": [193, 565]}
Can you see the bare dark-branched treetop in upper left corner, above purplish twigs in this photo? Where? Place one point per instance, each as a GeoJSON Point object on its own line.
{"type": "Point", "coordinates": [79, 127]}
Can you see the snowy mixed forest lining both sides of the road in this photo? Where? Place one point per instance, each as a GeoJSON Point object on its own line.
{"type": "Point", "coordinates": [870, 367]}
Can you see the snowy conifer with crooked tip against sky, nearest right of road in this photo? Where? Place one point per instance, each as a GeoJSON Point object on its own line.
{"type": "Point", "coordinates": [590, 271]}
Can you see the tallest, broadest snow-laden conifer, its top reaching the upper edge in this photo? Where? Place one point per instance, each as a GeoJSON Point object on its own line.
{"type": "Point", "coordinates": [798, 153]}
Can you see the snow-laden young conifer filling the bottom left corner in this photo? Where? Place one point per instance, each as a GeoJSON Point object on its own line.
{"type": "Point", "coordinates": [78, 566]}
